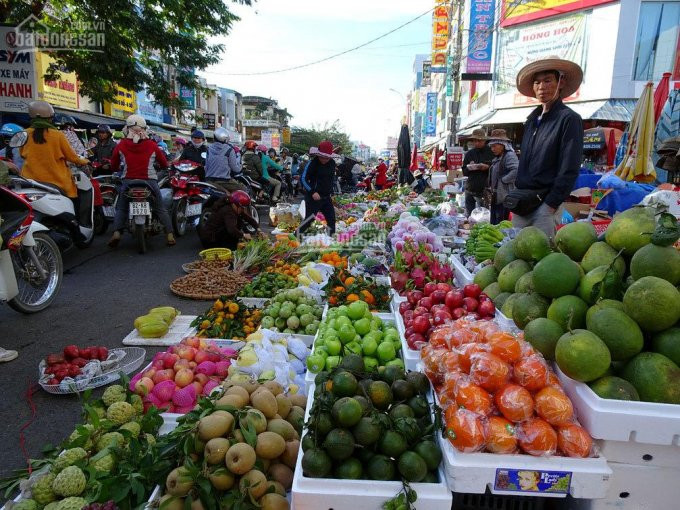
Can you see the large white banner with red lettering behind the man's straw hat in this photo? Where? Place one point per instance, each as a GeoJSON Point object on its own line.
{"type": "Point", "coordinates": [563, 38]}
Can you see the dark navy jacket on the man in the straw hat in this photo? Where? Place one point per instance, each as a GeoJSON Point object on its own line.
{"type": "Point", "coordinates": [552, 150]}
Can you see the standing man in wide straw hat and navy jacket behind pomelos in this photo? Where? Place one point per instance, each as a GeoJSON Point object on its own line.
{"type": "Point", "coordinates": [552, 146]}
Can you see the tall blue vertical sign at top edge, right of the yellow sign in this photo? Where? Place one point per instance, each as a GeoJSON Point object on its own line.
{"type": "Point", "coordinates": [480, 36]}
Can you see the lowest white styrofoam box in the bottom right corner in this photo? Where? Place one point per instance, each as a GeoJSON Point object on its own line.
{"type": "Point", "coordinates": [637, 488]}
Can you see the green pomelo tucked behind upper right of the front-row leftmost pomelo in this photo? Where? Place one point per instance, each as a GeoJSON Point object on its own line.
{"type": "Point", "coordinates": [621, 334]}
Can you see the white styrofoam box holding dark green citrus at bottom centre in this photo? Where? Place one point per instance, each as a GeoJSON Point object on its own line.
{"type": "Point", "coordinates": [335, 494]}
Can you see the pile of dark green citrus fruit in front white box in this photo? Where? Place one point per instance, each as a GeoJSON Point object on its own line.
{"type": "Point", "coordinates": [371, 427]}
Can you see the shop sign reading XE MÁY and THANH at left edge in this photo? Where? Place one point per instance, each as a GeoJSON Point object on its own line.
{"type": "Point", "coordinates": [17, 73]}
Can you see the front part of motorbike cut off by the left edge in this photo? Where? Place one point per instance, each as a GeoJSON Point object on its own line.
{"type": "Point", "coordinates": [31, 268]}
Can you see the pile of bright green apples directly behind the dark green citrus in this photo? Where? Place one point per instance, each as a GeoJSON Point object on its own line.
{"type": "Point", "coordinates": [353, 329]}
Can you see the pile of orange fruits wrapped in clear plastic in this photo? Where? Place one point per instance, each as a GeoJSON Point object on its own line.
{"type": "Point", "coordinates": [499, 394]}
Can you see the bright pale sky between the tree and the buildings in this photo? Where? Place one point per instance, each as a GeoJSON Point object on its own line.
{"type": "Point", "coordinates": [353, 88]}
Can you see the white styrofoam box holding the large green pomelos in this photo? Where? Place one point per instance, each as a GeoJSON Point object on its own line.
{"type": "Point", "coordinates": [623, 420]}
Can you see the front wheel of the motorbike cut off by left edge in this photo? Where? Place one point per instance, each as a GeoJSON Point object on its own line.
{"type": "Point", "coordinates": [37, 293]}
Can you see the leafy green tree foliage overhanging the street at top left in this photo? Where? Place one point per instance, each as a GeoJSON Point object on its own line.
{"type": "Point", "coordinates": [142, 37]}
